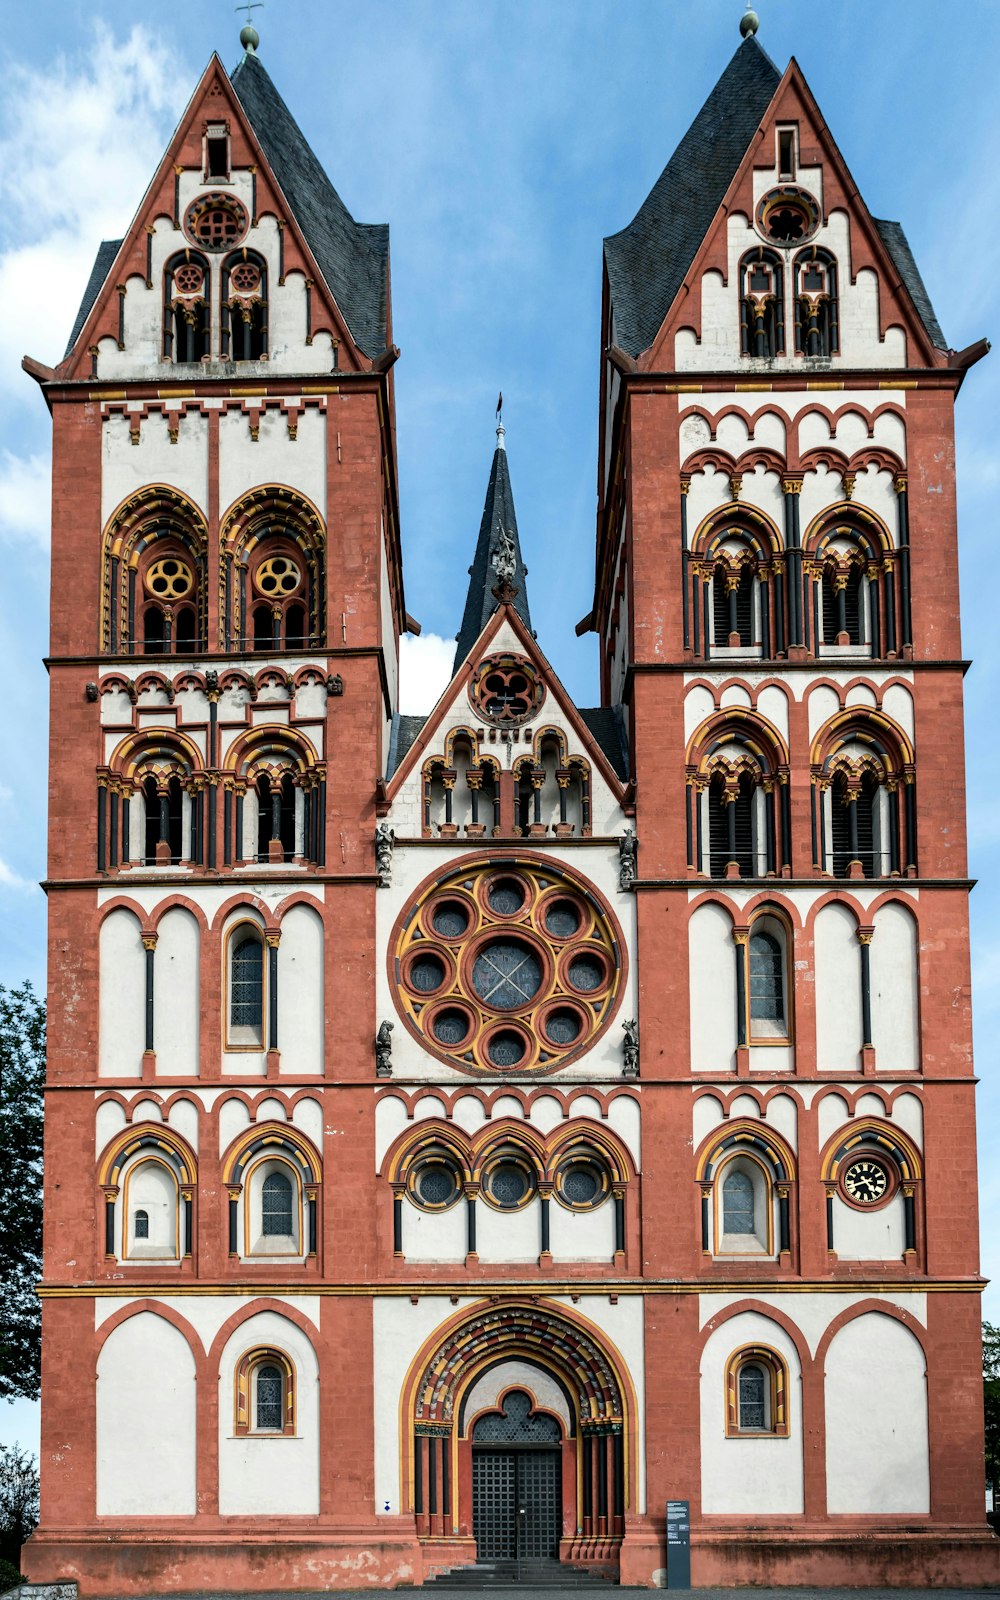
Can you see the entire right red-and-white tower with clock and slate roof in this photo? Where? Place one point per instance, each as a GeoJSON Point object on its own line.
{"type": "Point", "coordinates": [778, 614]}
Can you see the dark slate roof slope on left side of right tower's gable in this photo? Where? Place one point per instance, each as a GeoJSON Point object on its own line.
{"type": "Point", "coordinates": [649, 260]}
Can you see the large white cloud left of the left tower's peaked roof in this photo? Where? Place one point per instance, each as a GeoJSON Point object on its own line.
{"type": "Point", "coordinates": [60, 196]}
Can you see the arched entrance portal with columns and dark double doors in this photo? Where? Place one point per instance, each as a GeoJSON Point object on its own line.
{"type": "Point", "coordinates": [521, 1436]}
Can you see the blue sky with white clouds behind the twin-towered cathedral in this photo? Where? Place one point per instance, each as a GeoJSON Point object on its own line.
{"type": "Point", "coordinates": [502, 143]}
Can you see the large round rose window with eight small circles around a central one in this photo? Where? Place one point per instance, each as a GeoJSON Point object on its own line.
{"type": "Point", "coordinates": [506, 967]}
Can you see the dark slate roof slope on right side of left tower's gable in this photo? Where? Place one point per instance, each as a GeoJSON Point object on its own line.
{"type": "Point", "coordinates": [353, 257]}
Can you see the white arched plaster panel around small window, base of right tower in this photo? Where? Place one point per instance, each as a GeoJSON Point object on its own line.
{"type": "Point", "coordinates": [748, 1476]}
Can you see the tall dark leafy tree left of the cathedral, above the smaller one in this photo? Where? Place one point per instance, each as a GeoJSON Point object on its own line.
{"type": "Point", "coordinates": [22, 1084]}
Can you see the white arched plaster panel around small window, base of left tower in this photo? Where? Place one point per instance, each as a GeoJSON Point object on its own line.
{"type": "Point", "coordinates": [271, 1476]}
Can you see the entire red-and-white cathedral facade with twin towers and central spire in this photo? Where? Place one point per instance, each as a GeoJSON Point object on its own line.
{"type": "Point", "coordinates": [468, 1134]}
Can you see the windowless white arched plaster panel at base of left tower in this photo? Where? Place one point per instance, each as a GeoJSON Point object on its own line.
{"type": "Point", "coordinates": [146, 1422]}
